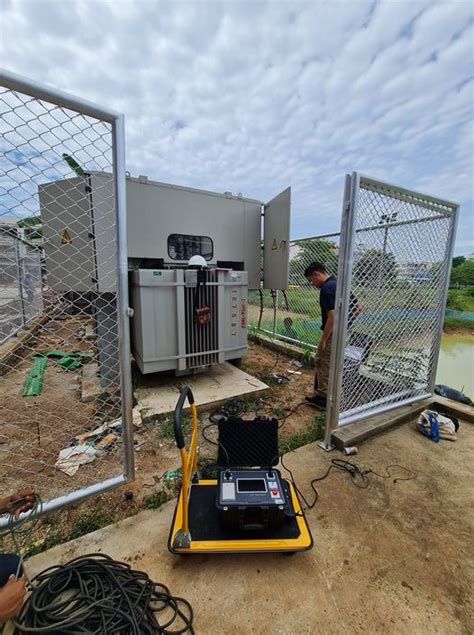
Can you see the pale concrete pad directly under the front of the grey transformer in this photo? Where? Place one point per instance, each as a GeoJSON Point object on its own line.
{"type": "Point", "coordinates": [222, 382]}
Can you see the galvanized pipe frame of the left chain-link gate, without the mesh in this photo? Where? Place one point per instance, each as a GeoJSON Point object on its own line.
{"type": "Point", "coordinates": [36, 90]}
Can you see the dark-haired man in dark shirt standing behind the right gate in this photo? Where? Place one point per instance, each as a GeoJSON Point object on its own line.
{"type": "Point", "coordinates": [318, 277]}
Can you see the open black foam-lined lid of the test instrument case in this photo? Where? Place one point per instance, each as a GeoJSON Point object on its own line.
{"type": "Point", "coordinates": [247, 443]}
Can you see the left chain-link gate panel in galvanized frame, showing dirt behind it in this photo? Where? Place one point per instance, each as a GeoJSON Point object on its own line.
{"type": "Point", "coordinates": [67, 369]}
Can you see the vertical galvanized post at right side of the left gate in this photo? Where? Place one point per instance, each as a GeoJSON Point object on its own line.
{"type": "Point", "coordinates": [118, 151]}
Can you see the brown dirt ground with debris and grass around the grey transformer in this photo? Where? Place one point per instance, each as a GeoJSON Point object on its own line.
{"type": "Point", "coordinates": [46, 424]}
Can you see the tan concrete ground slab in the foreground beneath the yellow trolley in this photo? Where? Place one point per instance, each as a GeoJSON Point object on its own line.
{"type": "Point", "coordinates": [393, 558]}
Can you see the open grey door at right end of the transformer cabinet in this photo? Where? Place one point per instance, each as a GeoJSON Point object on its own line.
{"type": "Point", "coordinates": [276, 241]}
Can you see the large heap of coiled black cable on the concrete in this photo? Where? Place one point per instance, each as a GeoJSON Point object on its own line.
{"type": "Point", "coordinates": [96, 594]}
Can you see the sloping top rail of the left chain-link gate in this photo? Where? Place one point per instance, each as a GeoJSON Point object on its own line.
{"type": "Point", "coordinates": [64, 100]}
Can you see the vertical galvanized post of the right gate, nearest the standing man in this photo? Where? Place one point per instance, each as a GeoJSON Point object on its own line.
{"type": "Point", "coordinates": [343, 291]}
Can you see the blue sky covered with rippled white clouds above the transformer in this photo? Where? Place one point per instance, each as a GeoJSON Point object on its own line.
{"type": "Point", "coordinates": [254, 96]}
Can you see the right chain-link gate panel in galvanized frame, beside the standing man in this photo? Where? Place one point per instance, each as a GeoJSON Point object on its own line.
{"type": "Point", "coordinates": [395, 260]}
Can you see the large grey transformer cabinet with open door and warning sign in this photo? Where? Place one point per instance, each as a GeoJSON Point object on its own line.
{"type": "Point", "coordinates": [188, 312]}
